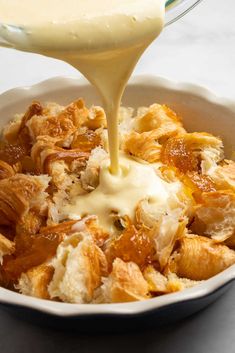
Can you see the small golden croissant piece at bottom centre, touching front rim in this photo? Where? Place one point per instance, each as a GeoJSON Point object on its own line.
{"type": "Point", "coordinates": [126, 283]}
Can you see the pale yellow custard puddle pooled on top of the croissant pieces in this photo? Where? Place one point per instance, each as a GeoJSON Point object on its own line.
{"type": "Point", "coordinates": [118, 195]}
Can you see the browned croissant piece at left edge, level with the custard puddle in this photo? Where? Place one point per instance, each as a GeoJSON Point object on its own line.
{"type": "Point", "coordinates": [19, 194]}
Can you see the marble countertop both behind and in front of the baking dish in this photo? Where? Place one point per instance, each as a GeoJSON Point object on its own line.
{"type": "Point", "coordinates": [200, 48]}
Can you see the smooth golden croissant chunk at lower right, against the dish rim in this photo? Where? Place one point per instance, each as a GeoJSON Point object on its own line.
{"type": "Point", "coordinates": [199, 258]}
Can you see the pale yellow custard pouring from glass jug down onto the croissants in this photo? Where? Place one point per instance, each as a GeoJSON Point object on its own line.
{"type": "Point", "coordinates": [103, 39]}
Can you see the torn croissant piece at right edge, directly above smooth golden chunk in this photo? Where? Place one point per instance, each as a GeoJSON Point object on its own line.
{"type": "Point", "coordinates": [215, 216]}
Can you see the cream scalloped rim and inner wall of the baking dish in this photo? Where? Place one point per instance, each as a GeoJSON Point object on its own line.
{"type": "Point", "coordinates": [201, 111]}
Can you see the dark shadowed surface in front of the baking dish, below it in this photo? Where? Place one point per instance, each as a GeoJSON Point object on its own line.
{"type": "Point", "coordinates": [209, 331]}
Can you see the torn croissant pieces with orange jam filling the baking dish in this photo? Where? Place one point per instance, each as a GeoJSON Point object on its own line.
{"type": "Point", "coordinates": [52, 246]}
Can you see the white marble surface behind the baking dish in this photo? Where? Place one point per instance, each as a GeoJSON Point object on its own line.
{"type": "Point", "coordinates": [200, 48]}
